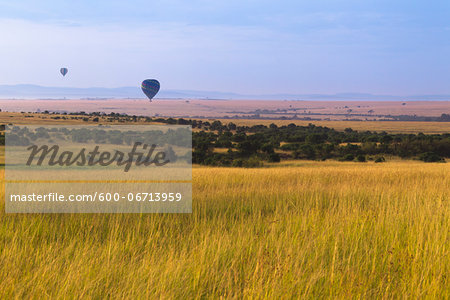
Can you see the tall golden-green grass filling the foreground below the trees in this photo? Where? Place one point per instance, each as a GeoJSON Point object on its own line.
{"type": "Point", "coordinates": [315, 229]}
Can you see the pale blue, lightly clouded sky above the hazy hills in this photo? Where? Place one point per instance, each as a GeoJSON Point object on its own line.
{"type": "Point", "coordinates": [399, 47]}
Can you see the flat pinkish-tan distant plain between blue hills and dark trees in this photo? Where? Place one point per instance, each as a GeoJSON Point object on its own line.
{"type": "Point", "coordinates": [322, 110]}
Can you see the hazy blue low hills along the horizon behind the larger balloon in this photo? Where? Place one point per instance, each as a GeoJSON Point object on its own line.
{"type": "Point", "coordinates": [28, 91]}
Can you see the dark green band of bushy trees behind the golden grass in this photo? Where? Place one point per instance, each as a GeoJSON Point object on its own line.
{"type": "Point", "coordinates": [227, 144]}
